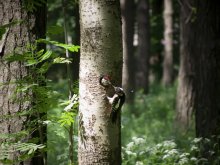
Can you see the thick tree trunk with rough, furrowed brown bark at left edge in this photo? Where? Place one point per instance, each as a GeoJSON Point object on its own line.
{"type": "Point", "coordinates": [24, 25]}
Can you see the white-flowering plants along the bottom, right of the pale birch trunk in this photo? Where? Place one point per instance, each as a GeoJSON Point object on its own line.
{"type": "Point", "coordinates": [139, 152]}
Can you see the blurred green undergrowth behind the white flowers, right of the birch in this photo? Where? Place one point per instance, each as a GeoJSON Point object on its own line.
{"type": "Point", "coordinates": [155, 111]}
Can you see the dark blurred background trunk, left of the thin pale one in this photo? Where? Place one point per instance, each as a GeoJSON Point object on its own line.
{"type": "Point", "coordinates": [143, 49]}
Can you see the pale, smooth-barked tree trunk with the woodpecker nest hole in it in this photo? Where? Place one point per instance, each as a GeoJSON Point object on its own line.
{"type": "Point", "coordinates": [101, 53]}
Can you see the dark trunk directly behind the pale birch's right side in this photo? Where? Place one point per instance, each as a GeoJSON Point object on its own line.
{"type": "Point", "coordinates": [128, 19]}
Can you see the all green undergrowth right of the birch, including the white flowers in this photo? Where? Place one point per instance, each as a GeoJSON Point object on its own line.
{"type": "Point", "coordinates": [148, 135]}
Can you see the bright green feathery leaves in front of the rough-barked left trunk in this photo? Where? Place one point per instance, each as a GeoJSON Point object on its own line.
{"type": "Point", "coordinates": [34, 90]}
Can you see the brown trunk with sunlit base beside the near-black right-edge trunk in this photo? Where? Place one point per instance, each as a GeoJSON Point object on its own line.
{"type": "Point", "coordinates": [185, 91]}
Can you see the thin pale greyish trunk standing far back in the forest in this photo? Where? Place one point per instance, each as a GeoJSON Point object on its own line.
{"type": "Point", "coordinates": [168, 43]}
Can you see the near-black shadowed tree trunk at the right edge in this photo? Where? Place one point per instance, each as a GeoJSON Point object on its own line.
{"type": "Point", "coordinates": [206, 50]}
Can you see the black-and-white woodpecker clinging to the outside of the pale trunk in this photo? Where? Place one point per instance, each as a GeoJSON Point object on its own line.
{"type": "Point", "coordinates": [116, 102]}
